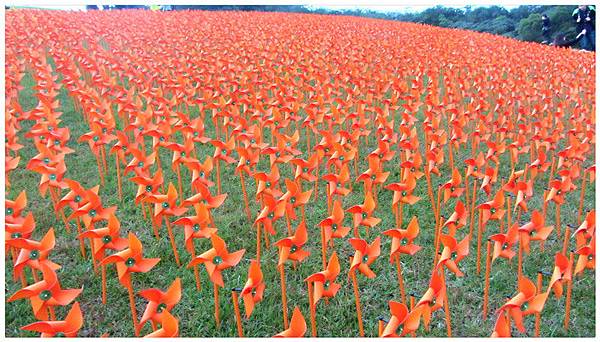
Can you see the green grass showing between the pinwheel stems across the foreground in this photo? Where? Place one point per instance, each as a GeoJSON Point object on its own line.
{"type": "Point", "coordinates": [337, 318]}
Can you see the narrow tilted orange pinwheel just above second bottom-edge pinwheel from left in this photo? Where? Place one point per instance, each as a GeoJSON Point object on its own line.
{"type": "Point", "coordinates": [159, 303]}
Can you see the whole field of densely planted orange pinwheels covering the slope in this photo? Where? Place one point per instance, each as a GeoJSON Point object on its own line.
{"type": "Point", "coordinates": [468, 151]}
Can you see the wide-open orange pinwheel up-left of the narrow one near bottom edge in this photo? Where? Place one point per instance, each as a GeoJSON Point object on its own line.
{"type": "Point", "coordinates": [130, 260]}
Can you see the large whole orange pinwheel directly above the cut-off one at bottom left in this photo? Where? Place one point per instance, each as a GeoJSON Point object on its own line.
{"type": "Point", "coordinates": [46, 294]}
